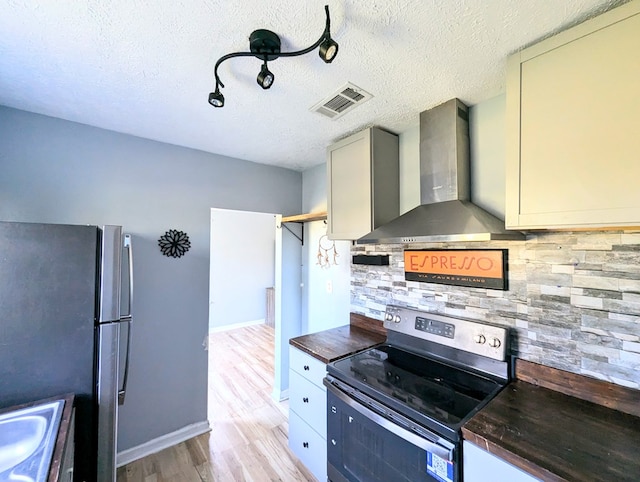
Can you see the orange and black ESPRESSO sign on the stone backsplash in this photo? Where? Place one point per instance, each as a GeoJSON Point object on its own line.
{"type": "Point", "coordinates": [483, 268]}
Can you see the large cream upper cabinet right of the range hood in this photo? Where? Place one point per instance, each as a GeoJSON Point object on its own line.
{"type": "Point", "coordinates": [573, 144]}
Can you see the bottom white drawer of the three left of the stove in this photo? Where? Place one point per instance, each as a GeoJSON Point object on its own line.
{"type": "Point", "coordinates": [308, 446]}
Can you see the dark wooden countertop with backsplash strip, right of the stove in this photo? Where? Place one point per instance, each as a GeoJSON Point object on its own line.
{"type": "Point", "coordinates": [559, 426]}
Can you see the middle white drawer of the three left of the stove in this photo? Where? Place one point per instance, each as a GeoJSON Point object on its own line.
{"type": "Point", "coordinates": [309, 402]}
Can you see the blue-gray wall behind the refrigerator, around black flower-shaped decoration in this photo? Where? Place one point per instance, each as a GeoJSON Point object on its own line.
{"type": "Point", "coordinates": [62, 172]}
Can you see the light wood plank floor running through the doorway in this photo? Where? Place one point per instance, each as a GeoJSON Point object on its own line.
{"type": "Point", "coordinates": [248, 441]}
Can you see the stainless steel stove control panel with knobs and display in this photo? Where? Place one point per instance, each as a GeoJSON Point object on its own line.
{"type": "Point", "coordinates": [472, 336]}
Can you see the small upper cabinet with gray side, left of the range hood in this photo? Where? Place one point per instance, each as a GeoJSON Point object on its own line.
{"type": "Point", "coordinates": [362, 183]}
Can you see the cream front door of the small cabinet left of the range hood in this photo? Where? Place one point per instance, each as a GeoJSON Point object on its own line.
{"type": "Point", "coordinates": [349, 187]}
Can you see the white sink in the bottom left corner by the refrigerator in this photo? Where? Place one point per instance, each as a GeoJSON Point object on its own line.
{"type": "Point", "coordinates": [27, 439]}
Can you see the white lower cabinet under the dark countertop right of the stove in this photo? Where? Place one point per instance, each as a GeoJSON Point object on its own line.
{"type": "Point", "coordinates": [481, 466]}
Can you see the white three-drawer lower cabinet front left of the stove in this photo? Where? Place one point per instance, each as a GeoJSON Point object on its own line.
{"type": "Point", "coordinates": [308, 412]}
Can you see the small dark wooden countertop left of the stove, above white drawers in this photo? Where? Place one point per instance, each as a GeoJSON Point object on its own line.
{"type": "Point", "coordinates": [329, 345]}
